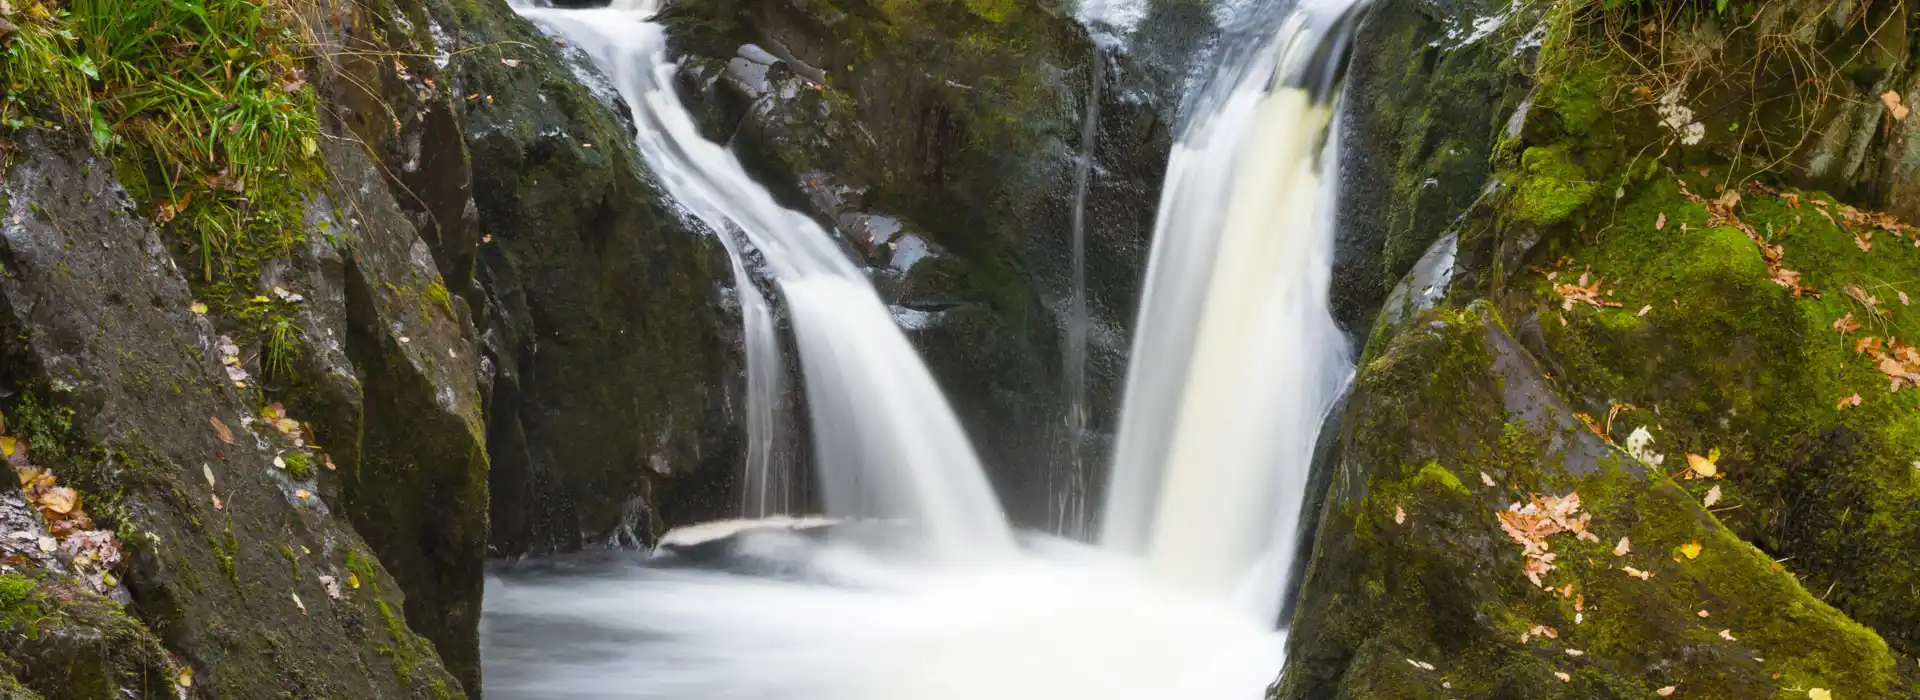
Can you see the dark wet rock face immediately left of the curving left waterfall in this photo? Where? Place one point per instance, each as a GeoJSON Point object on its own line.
{"type": "Point", "coordinates": [604, 358]}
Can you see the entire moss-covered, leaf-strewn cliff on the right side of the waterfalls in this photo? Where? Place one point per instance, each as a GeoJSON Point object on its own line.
{"type": "Point", "coordinates": [1679, 298]}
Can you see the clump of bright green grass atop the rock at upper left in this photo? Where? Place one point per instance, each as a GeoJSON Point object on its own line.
{"type": "Point", "coordinates": [203, 105]}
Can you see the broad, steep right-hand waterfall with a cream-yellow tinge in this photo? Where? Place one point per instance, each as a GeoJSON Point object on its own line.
{"type": "Point", "coordinates": [1236, 356]}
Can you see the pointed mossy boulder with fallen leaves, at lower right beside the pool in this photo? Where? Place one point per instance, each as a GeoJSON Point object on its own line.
{"type": "Point", "coordinates": [1414, 571]}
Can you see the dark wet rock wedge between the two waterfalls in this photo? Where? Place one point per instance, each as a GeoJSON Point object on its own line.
{"type": "Point", "coordinates": [965, 129]}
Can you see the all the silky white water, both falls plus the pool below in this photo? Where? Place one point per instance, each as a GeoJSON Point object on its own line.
{"type": "Point", "coordinates": [917, 590]}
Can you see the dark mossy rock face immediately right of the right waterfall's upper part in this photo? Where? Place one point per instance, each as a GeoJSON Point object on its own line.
{"type": "Point", "coordinates": [1429, 91]}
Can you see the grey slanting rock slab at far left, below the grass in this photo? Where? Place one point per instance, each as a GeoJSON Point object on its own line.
{"type": "Point", "coordinates": [228, 549]}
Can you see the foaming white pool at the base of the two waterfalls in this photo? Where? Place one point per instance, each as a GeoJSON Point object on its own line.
{"type": "Point", "coordinates": [1065, 622]}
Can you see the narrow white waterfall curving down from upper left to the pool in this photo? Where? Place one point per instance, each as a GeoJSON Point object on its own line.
{"type": "Point", "coordinates": [888, 442]}
